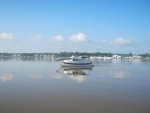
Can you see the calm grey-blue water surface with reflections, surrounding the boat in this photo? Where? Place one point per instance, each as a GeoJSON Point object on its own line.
{"type": "Point", "coordinates": [111, 86]}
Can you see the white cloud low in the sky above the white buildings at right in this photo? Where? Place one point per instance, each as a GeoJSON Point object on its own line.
{"type": "Point", "coordinates": [122, 41]}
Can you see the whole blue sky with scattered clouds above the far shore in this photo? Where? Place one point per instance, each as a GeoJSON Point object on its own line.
{"type": "Point", "coordinates": [39, 26]}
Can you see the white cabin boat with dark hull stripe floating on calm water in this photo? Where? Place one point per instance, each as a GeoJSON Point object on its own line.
{"type": "Point", "coordinates": [76, 61]}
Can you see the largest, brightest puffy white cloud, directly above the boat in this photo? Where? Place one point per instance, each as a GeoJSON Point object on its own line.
{"type": "Point", "coordinates": [79, 37]}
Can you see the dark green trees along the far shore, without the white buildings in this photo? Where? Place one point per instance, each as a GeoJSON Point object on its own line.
{"type": "Point", "coordinates": [67, 54]}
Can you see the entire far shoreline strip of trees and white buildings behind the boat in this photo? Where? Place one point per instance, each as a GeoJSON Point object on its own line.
{"type": "Point", "coordinates": [94, 55]}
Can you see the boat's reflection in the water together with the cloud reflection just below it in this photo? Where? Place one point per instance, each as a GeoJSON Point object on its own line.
{"type": "Point", "coordinates": [78, 74]}
